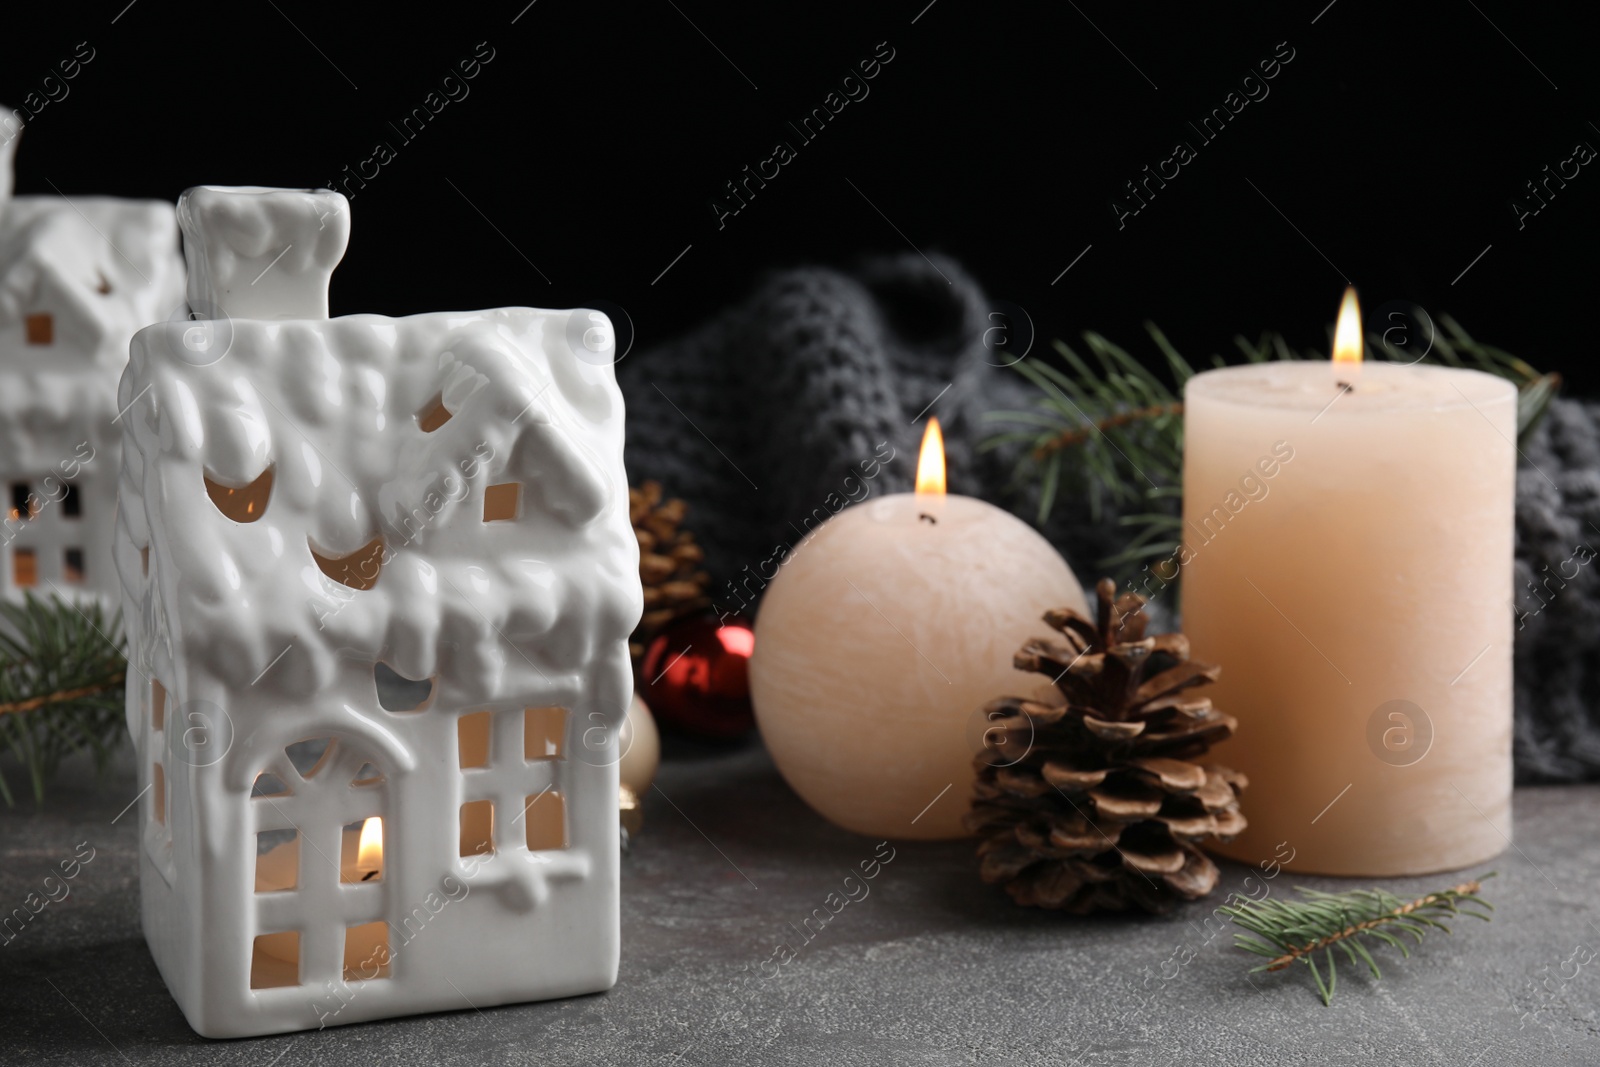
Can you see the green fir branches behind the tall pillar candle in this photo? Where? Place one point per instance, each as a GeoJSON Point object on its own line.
{"type": "Point", "coordinates": [1111, 430]}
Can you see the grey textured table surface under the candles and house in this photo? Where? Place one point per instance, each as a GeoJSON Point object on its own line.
{"type": "Point", "coordinates": [929, 969]}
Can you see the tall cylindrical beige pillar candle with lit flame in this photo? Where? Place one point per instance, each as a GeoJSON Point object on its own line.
{"type": "Point", "coordinates": [1348, 561]}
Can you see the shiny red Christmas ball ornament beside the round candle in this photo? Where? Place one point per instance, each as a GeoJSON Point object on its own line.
{"type": "Point", "coordinates": [697, 679]}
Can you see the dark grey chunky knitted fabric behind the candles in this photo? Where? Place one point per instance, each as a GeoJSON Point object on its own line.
{"type": "Point", "coordinates": [785, 409]}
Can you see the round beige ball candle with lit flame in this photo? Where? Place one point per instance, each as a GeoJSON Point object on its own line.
{"type": "Point", "coordinates": [879, 644]}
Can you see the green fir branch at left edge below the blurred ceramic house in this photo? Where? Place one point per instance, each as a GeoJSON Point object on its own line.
{"type": "Point", "coordinates": [62, 687]}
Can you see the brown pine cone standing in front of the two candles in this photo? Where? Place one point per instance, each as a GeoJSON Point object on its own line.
{"type": "Point", "coordinates": [1090, 796]}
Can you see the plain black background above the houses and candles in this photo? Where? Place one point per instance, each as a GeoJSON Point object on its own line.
{"type": "Point", "coordinates": [590, 150]}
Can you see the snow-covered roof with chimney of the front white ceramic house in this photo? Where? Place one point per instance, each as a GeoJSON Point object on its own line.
{"type": "Point", "coordinates": [345, 415]}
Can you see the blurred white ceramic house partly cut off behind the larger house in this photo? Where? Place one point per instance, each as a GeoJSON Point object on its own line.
{"type": "Point", "coordinates": [78, 278]}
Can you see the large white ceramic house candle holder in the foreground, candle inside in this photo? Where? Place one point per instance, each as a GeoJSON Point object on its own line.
{"type": "Point", "coordinates": [380, 580]}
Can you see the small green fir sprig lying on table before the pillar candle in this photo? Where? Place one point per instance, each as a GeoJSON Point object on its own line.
{"type": "Point", "coordinates": [1297, 932]}
